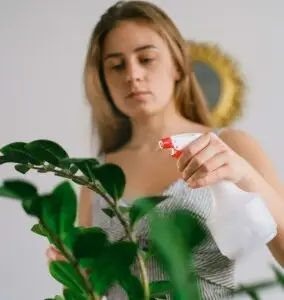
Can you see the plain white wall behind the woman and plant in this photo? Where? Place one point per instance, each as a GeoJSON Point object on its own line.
{"type": "Point", "coordinates": [42, 49]}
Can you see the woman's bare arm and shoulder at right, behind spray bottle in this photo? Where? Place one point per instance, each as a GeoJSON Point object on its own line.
{"type": "Point", "coordinates": [263, 179]}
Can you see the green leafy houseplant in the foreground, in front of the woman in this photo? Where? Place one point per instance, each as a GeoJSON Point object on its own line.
{"type": "Point", "coordinates": [93, 262]}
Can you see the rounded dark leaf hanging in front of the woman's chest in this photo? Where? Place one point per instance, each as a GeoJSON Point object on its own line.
{"type": "Point", "coordinates": [112, 179]}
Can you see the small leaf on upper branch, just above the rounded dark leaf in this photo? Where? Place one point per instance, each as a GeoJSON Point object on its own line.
{"type": "Point", "coordinates": [85, 165]}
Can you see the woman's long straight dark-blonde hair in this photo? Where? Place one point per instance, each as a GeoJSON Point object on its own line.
{"type": "Point", "coordinates": [113, 128]}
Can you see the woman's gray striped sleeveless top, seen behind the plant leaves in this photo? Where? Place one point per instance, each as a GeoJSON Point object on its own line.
{"type": "Point", "coordinates": [215, 272]}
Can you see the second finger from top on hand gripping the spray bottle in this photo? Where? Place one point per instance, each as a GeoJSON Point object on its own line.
{"type": "Point", "coordinates": [204, 161]}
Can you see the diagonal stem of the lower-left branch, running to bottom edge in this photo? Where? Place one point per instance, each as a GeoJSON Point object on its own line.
{"type": "Point", "coordinates": [71, 259]}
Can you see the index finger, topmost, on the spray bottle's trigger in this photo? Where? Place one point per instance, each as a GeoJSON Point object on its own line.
{"type": "Point", "coordinates": [190, 150]}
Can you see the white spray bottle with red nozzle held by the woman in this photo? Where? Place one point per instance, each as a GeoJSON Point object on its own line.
{"type": "Point", "coordinates": [239, 221]}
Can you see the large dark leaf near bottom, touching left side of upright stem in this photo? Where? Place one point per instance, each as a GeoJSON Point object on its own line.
{"type": "Point", "coordinates": [112, 265]}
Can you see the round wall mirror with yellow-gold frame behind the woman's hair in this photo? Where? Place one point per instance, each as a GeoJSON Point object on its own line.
{"type": "Point", "coordinates": [220, 80]}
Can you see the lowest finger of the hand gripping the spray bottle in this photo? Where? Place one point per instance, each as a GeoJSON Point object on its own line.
{"type": "Point", "coordinates": [209, 178]}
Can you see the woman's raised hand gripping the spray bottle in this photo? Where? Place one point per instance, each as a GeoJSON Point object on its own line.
{"type": "Point", "coordinates": [208, 159]}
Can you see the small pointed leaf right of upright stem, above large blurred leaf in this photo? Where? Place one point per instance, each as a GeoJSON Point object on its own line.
{"type": "Point", "coordinates": [142, 206]}
